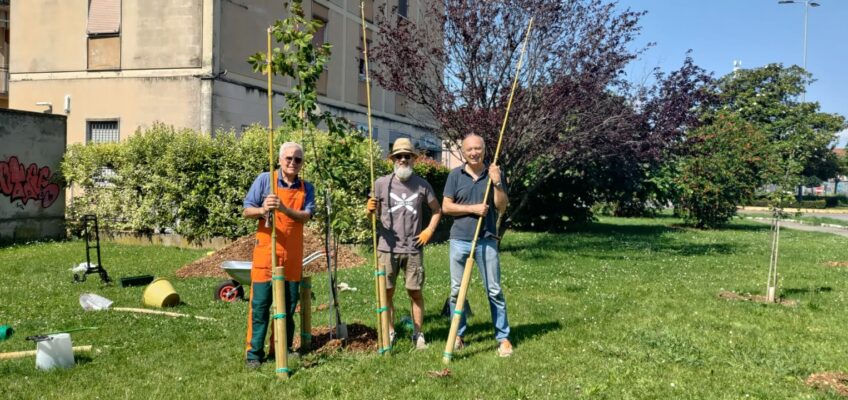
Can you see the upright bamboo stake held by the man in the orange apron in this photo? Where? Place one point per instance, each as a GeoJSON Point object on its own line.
{"type": "Point", "coordinates": [281, 354]}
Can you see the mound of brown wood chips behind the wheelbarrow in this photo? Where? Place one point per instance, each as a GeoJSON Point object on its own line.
{"type": "Point", "coordinates": [242, 250]}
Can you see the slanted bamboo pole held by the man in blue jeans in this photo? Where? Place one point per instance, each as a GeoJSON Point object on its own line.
{"type": "Point", "coordinates": [469, 263]}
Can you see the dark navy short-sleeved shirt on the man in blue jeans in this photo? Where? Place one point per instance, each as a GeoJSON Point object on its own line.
{"type": "Point", "coordinates": [463, 189]}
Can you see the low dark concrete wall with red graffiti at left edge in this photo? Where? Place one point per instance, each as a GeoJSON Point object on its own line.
{"type": "Point", "coordinates": [32, 206]}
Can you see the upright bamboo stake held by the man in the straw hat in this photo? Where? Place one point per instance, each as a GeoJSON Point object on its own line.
{"type": "Point", "coordinates": [380, 273]}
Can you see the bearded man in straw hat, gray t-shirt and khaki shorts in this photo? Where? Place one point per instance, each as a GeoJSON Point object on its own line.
{"type": "Point", "coordinates": [399, 200]}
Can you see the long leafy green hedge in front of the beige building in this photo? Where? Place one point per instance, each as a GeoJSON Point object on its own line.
{"type": "Point", "coordinates": [163, 179]}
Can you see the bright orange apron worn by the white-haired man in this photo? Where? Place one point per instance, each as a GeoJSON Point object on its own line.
{"type": "Point", "coordinates": [289, 238]}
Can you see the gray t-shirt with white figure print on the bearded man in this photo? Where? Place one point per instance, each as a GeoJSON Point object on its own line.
{"type": "Point", "coordinates": [401, 208]}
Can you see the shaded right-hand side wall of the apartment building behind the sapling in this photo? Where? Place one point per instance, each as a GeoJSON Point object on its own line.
{"type": "Point", "coordinates": [239, 97]}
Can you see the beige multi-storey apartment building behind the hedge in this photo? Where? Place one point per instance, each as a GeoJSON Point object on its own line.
{"type": "Point", "coordinates": [113, 66]}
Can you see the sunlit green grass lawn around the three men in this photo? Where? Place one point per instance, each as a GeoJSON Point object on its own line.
{"type": "Point", "coordinates": [626, 308]}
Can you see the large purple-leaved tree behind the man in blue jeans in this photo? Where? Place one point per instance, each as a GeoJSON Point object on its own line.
{"type": "Point", "coordinates": [576, 124]}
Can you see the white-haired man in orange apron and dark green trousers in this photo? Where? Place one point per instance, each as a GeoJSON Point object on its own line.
{"type": "Point", "coordinates": [293, 203]}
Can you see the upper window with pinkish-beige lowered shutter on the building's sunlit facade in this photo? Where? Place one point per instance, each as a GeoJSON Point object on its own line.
{"type": "Point", "coordinates": [104, 34]}
